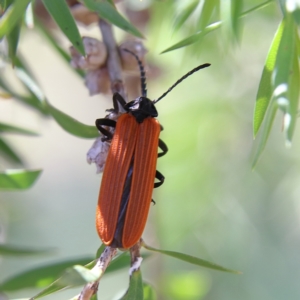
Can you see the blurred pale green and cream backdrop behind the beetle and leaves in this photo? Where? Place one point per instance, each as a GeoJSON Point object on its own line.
{"type": "Point", "coordinates": [212, 204]}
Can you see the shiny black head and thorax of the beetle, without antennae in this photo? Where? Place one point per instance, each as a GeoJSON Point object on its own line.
{"type": "Point", "coordinates": [141, 108]}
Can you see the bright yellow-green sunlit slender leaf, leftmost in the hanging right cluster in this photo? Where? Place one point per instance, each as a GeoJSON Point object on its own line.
{"type": "Point", "coordinates": [265, 89]}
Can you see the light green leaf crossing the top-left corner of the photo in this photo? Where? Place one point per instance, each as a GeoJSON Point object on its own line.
{"type": "Point", "coordinates": [12, 16]}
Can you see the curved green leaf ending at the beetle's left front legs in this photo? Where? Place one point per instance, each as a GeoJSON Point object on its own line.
{"type": "Point", "coordinates": [71, 125]}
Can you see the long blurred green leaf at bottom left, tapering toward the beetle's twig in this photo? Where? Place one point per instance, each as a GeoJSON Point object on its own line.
{"type": "Point", "coordinates": [41, 276]}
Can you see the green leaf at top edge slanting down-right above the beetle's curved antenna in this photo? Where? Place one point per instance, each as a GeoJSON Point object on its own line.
{"type": "Point", "coordinates": [110, 14]}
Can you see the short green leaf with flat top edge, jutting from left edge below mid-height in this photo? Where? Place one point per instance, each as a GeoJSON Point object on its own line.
{"type": "Point", "coordinates": [18, 179]}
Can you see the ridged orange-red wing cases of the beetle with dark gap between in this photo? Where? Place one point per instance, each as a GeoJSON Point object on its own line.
{"type": "Point", "coordinates": [128, 191]}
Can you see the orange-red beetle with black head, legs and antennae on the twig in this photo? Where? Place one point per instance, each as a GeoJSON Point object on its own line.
{"type": "Point", "coordinates": [130, 169]}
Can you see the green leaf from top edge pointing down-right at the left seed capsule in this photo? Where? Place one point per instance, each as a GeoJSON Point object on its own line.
{"type": "Point", "coordinates": [60, 12]}
